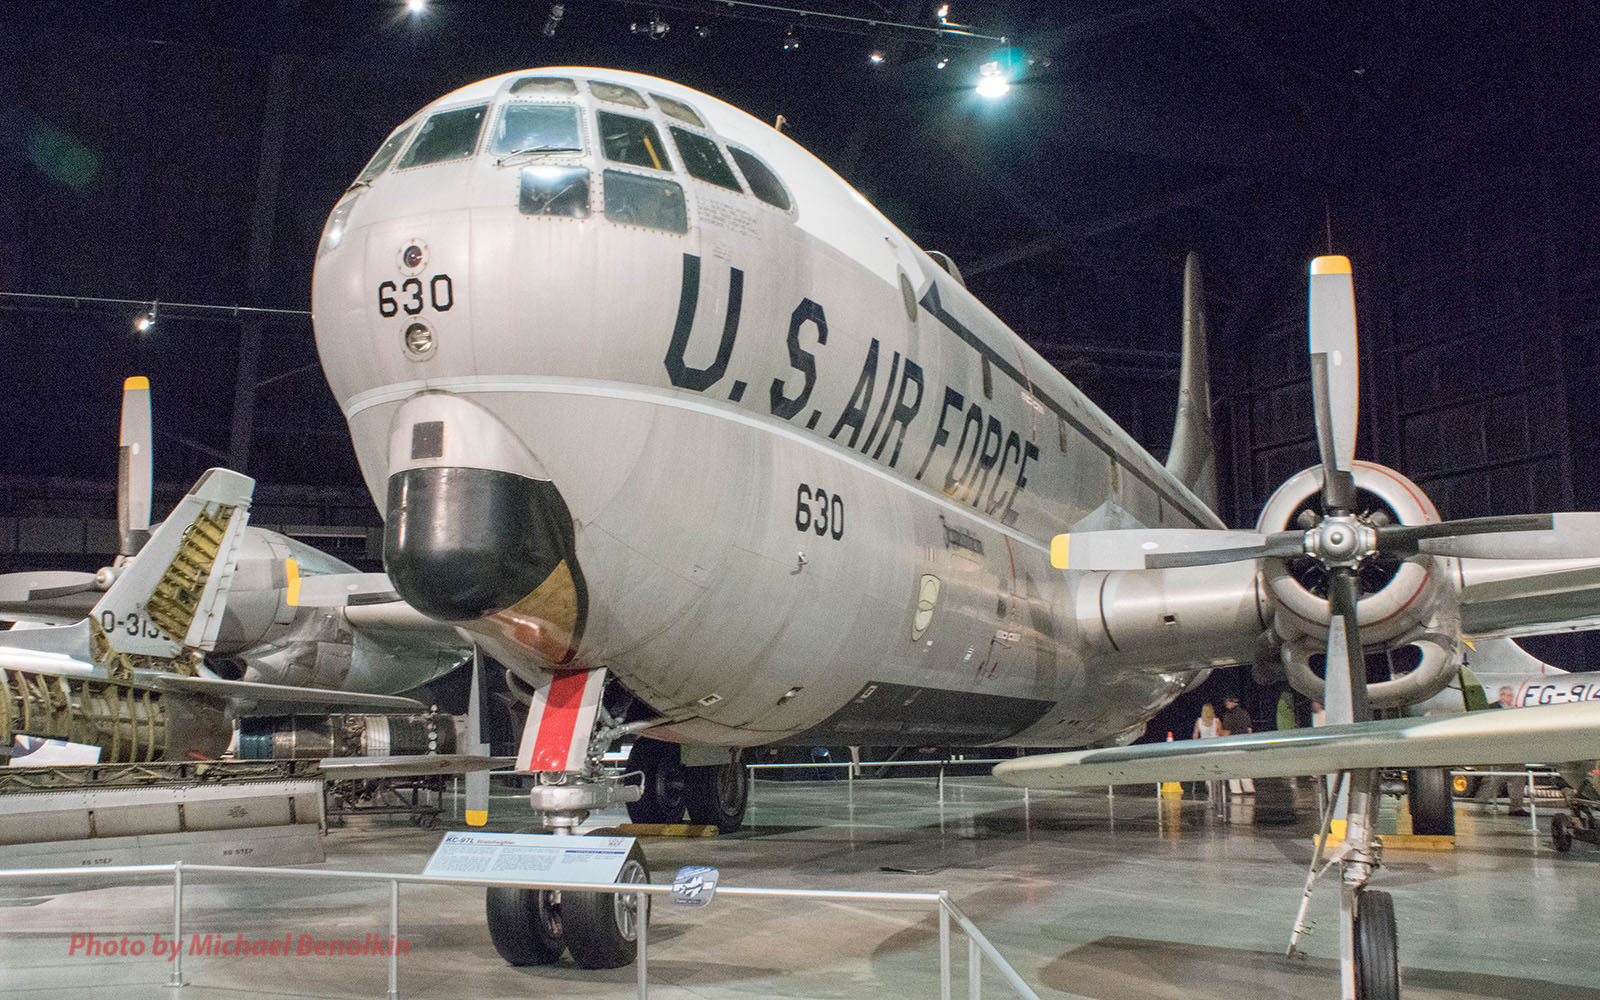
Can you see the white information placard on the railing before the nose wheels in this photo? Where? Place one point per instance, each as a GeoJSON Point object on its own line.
{"type": "Point", "coordinates": [529, 858]}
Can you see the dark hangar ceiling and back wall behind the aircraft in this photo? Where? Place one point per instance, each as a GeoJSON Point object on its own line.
{"type": "Point", "coordinates": [190, 153]}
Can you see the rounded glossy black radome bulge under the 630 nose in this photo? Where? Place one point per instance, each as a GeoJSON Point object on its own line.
{"type": "Point", "coordinates": [466, 543]}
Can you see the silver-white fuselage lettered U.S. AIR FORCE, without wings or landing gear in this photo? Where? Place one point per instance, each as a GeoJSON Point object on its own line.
{"type": "Point", "coordinates": [642, 385]}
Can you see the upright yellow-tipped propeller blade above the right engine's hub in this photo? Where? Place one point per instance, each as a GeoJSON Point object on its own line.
{"type": "Point", "coordinates": [1334, 377]}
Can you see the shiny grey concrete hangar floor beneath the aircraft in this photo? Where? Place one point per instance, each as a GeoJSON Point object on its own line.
{"type": "Point", "coordinates": [1086, 895]}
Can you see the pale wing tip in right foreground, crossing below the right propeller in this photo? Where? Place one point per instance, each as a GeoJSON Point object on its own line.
{"type": "Point", "coordinates": [1548, 734]}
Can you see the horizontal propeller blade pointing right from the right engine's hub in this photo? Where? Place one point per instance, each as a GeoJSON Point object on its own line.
{"type": "Point", "coordinates": [1572, 535]}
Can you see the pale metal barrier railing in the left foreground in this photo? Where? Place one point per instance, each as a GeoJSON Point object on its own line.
{"type": "Point", "coordinates": [980, 946]}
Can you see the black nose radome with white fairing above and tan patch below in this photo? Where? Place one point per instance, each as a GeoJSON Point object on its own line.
{"type": "Point", "coordinates": [489, 550]}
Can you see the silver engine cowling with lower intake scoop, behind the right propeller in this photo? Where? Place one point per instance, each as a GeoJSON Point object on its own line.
{"type": "Point", "coordinates": [1402, 602]}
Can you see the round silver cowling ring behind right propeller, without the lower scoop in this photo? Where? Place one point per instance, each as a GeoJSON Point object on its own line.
{"type": "Point", "coordinates": [1398, 599]}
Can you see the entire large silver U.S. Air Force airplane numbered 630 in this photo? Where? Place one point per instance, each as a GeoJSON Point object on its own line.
{"type": "Point", "coordinates": [703, 449]}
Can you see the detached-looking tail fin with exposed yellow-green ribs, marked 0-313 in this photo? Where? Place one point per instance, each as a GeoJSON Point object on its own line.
{"type": "Point", "coordinates": [172, 596]}
